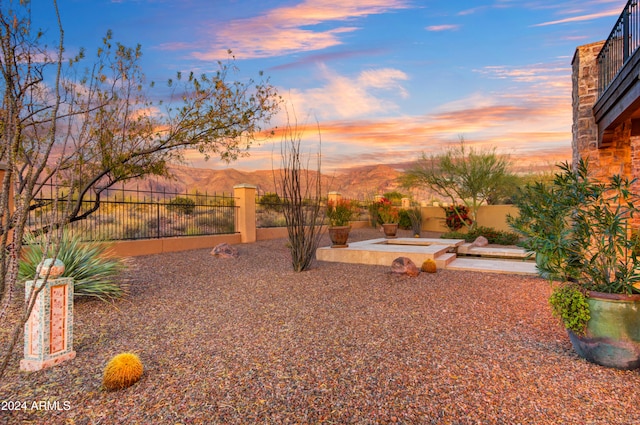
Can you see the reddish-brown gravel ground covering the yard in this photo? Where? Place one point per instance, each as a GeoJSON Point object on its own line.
{"type": "Point", "coordinates": [247, 340]}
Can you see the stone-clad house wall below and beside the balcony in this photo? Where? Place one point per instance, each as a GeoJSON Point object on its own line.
{"type": "Point", "coordinates": [621, 154]}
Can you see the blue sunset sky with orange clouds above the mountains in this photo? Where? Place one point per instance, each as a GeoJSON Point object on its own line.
{"type": "Point", "coordinates": [385, 80]}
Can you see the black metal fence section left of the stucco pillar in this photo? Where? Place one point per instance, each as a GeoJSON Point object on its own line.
{"type": "Point", "coordinates": [140, 214]}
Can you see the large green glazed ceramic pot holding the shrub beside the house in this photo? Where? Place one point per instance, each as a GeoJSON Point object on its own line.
{"type": "Point", "coordinates": [612, 337]}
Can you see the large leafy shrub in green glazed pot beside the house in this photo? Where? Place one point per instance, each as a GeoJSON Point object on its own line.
{"type": "Point", "coordinates": [581, 230]}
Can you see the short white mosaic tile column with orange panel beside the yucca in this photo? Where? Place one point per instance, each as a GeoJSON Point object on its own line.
{"type": "Point", "coordinates": [48, 334]}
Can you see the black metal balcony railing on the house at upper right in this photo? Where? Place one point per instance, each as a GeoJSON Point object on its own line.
{"type": "Point", "coordinates": [623, 41]}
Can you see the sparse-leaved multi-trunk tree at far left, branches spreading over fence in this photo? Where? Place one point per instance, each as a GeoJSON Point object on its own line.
{"type": "Point", "coordinates": [80, 125]}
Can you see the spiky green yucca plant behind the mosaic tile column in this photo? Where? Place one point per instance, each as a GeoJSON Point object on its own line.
{"type": "Point", "coordinates": [94, 273]}
